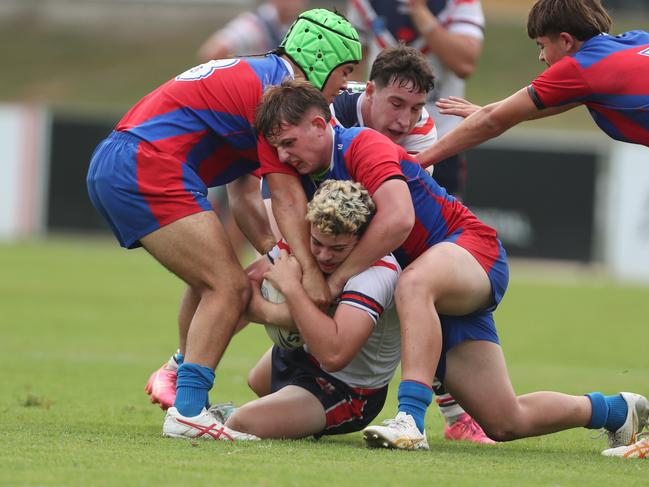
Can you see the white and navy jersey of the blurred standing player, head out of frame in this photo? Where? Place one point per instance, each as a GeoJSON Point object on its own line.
{"type": "Point", "coordinates": [382, 23]}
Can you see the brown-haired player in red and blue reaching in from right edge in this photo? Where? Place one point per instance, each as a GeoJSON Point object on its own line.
{"type": "Point", "coordinates": [586, 66]}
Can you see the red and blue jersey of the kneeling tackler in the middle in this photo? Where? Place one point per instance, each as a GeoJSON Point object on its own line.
{"type": "Point", "coordinates": [363, 155]}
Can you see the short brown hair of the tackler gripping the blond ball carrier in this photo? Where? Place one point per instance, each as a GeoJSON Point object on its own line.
{"type": "Point", "coordinates": [288, 103]}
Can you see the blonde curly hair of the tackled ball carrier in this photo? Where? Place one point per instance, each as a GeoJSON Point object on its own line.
{"type": "Point", "coordinates": [341, 207]}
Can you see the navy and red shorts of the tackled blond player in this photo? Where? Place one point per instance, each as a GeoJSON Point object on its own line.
{"type": "Point", "coordinates": [347, 408]}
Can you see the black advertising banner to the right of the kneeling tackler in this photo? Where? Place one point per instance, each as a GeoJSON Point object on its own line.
{"type": "Point", "coordinates": [542, 203]}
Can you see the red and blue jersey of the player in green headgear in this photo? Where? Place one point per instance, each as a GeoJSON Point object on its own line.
{"type": "Point", "coordinates": [204, 117]}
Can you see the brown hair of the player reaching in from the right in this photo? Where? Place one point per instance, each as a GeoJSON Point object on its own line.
{"type": "Point", "coordinates": [582, 19]}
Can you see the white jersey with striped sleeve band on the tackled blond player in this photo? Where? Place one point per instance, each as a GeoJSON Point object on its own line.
{"type": "Point", "coordinates": [373, 292]}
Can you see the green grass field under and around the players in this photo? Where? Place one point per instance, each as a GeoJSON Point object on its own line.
{"type": "Point", "coordinates": [83, 324]}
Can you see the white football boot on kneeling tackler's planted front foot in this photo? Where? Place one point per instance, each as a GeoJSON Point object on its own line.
{"type": "Point", "coordinates": [400, 432]}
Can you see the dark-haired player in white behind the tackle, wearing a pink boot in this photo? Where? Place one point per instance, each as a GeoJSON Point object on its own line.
{"type": "Point", "coordinates": [393, 104]}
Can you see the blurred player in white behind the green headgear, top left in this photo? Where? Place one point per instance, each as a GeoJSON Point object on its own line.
{"type": "Point", "coordinates": [255, 32]}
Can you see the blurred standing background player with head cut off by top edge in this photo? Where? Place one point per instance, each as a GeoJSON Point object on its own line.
{"type": "Point", "coordinates": [449, 33]}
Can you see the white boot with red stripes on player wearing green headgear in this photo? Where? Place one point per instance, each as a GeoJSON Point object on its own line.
{"type": "Point", "coordinates": [205, 425]}
